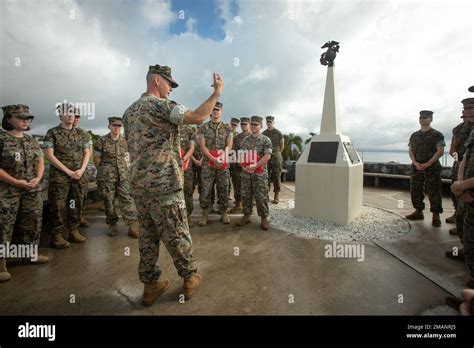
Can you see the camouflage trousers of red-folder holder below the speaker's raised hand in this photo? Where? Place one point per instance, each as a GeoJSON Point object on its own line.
{"type": "Point", "coordinates": [208, 175]}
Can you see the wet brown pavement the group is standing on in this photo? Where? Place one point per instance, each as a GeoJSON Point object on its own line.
{"type": "Point", "coordinates": [247, 271]}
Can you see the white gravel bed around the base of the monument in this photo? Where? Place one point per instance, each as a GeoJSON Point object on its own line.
{"type": "Point", "coordinates": [372, 224]}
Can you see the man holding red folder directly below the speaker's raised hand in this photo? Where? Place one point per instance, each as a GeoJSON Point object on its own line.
{"type": "Point", "coordinates": [214, 135]}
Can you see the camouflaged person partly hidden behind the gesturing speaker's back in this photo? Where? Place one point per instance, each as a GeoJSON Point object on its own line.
{"type": "Point", "coordinates": [188, 144]}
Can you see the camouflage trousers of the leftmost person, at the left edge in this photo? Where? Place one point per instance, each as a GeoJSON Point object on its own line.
{"type": "Point", "coordinates": [21, 214]}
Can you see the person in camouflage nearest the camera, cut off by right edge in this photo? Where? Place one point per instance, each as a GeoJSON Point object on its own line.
{"type": "Point", "coordinates": [466, 187]}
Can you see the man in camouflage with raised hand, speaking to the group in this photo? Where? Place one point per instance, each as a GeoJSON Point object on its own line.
{"type": "Point", "coordinates": [152, 132]}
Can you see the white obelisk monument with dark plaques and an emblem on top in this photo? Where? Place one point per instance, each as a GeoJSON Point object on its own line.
{"type": "Point", "coordinates": [329, 172]}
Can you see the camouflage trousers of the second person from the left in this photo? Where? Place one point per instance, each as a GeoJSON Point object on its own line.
{"type": "Point", "coordinates": [66, 199]}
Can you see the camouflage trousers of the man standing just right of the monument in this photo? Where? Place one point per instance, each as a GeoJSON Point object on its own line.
{"type": "Point", "coordinates": [432, 181]}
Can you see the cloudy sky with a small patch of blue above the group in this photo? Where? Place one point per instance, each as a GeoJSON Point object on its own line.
{"type": "Point", "coordinates": [396, 58]}
